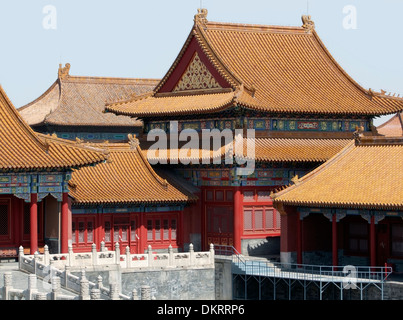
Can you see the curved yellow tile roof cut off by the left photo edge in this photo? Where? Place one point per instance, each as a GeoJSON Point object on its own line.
{"type": "Point", "coordinates": [23, 149]}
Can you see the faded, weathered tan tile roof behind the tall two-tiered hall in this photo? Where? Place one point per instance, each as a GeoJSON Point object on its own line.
{"type": "Point", "coordinates": [80, 101]}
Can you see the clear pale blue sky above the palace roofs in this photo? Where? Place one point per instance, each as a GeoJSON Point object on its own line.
{"type": "Point", "coordinates": [123, 38]}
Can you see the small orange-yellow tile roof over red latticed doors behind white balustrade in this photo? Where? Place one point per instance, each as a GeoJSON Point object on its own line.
{"type": "Point", "coordinates": [126, 177]}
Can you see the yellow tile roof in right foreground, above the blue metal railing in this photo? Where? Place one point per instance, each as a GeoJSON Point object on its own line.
{"type": "Point", "coordinates": [368, 174]}
